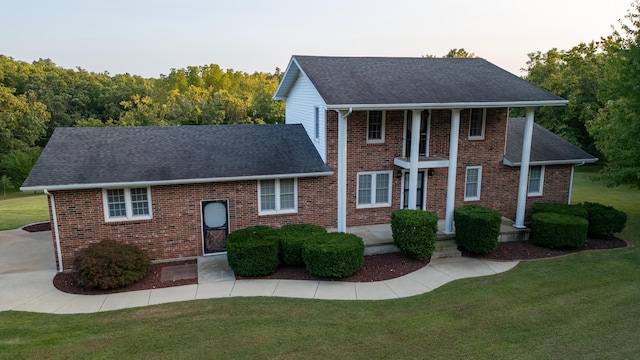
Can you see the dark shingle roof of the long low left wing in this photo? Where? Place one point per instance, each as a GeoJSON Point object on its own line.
{"type": "Point", "coordinates": [80, 157]}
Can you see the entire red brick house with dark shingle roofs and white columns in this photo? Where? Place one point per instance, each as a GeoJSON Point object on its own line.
{"type": "Point", "coordinates": [364, 136]}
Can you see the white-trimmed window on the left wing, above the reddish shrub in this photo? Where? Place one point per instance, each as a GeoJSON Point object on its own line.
{"type": "Point", "coordinates": [127, 204]}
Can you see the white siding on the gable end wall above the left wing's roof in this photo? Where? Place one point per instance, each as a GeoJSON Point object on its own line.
{"type": "Point", "coordinates": [301, 105]}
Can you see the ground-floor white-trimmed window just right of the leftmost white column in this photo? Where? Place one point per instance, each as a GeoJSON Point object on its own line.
{"type": "Point", "coordinates": [374, 189]}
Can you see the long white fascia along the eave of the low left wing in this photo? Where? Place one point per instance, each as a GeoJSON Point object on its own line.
{"type": "Point", "coordinates": [170, 182]}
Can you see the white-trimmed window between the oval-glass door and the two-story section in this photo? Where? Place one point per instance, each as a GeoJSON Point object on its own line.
{"type": "Point", "coordinates": [277, 196]}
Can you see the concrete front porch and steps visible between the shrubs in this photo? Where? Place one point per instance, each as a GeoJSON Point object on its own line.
{"type": "Point", "coordinates": [378, 239]}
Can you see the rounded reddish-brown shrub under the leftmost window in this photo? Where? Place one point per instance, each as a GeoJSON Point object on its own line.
{"type": "Point", "coordinates": [109, 265]}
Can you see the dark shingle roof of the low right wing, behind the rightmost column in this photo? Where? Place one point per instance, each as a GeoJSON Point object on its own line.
{"type": "Point", "coordinates": [547, 148]}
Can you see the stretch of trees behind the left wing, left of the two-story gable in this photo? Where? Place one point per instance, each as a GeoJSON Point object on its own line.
{"type": "Point", "coordinates": [36, 98]}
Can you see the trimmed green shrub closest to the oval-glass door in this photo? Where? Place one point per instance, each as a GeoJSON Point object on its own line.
{"type": "Point", "coordinates": [253, 251]}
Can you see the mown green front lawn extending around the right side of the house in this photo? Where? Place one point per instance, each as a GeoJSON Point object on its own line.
{"type": "Point", "coordinates": [580, 306]}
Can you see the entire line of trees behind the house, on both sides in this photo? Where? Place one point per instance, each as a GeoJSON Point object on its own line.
{"type": "Point", "coordinates": [599, 78]}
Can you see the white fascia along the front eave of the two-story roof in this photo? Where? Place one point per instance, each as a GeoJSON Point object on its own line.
{"type": "Point", "coordinates": [462, 105]}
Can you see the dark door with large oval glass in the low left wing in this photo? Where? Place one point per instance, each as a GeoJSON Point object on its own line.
{"type": "Point", "coordinates": [215, 226]}
